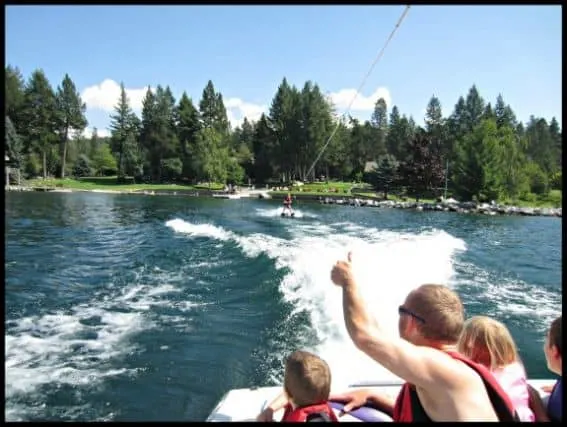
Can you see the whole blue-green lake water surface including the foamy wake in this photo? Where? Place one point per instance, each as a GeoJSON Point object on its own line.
{"type": "Point", "coordinates": [141, 308]}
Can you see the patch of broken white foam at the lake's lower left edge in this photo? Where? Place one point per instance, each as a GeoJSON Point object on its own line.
{"type": "Point", "coordinates": [40, 350]}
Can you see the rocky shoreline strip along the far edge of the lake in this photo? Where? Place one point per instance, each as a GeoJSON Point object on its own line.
{"type": "Point", "coordinates": [325, 198]}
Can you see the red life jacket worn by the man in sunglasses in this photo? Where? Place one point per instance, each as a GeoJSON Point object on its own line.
{"type": "Point", "coordinates": [408, 408]}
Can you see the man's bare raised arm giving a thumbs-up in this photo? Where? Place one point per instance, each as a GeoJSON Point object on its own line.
{"type": "Point", "coordinates": [422, 366]}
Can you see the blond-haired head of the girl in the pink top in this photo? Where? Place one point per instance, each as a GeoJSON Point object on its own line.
{"type": "Point", "coordinates": [488, 342]}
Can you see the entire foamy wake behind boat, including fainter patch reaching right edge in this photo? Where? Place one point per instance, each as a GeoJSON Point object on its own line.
{"type": "Point", "coordinates": [389, 265]}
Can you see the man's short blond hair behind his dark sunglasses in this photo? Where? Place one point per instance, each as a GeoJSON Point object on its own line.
{"type": "Point", "coordinates": [442, 310]}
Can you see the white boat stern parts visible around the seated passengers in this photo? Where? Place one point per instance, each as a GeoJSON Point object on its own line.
{"type": "Point", "coordinates": [246, 403]}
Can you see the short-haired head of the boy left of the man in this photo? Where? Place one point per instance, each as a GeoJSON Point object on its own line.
{"type": "Point", "coordinates": [307, 379]}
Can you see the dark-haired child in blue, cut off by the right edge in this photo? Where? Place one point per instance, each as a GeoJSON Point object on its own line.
{"type": "Point", "coordinates": [552, 348]}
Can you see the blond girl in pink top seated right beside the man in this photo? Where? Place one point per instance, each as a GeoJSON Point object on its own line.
{"type": "Point", "coordinates": [488, 342]}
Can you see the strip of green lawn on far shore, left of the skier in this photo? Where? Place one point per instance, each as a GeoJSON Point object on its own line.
{"type": "Point", "coordinates": [109, 183]}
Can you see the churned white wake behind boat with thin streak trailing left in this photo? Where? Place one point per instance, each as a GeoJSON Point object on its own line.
{"type": "Point", "coordinates": [388, 265]}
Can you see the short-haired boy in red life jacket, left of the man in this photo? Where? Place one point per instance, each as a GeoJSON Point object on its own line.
{"type": "Point", "coordinates": [307, 384]}
